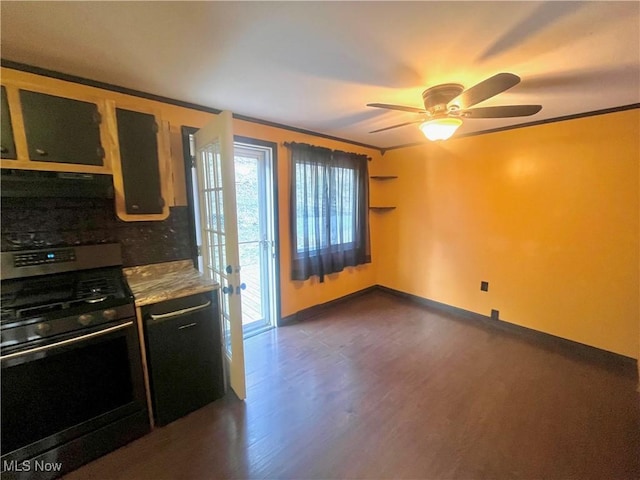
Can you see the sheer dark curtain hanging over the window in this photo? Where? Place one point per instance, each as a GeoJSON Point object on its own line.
{"type": "Point", "coordinates": [329, 211]}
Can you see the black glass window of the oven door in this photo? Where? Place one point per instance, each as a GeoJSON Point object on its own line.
{"type": "Point", "coordinates": [61, 393]}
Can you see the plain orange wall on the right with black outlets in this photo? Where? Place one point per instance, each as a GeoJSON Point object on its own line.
{"type": "Point", "coordinates": [548, 215]}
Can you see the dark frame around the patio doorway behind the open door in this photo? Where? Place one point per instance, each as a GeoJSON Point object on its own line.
{"type": "Point", "coordinates": [189, 162]}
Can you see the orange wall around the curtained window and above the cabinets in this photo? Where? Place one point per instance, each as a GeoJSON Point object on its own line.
{"type": "Point", "coordinates": [295, 295]}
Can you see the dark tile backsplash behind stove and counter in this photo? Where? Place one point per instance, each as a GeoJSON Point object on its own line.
{"type": "Point", "coordinates": [33, 222]}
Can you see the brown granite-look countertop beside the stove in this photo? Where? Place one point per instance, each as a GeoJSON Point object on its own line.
{"type": "Point", "coordinates": [165, 281]}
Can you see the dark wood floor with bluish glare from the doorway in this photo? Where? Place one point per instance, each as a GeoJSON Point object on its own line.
{"type": "Point", "coordinates": [382, 388]}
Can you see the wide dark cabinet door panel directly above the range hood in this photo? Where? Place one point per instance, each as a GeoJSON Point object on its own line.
{"type": "Point", "coordinates": [61, 130]}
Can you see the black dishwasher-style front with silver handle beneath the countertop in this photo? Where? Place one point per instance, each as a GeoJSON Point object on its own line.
{"type": "Point", "coordinates": [184, 355]}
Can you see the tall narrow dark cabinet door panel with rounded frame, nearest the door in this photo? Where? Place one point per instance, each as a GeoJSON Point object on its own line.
{"type": "Point", "coordinates": [138, 140]}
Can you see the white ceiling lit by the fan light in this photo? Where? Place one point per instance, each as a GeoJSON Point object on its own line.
{"type": "Point", "coordinates": [314, 65]}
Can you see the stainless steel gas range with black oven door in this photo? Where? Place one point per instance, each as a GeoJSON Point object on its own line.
{"type": "Point", "coordinates": [72, 382]}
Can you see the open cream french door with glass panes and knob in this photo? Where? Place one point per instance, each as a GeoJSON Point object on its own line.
{"type": "Point", "coordinates": [219, 235]}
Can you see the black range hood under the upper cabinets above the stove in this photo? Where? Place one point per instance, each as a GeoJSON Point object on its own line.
{"type": "Point", "coordinates": [34, 183]}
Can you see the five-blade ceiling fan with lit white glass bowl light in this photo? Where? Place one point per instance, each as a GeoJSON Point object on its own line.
{"type": "Point", "coordinates": [446, 105]}
